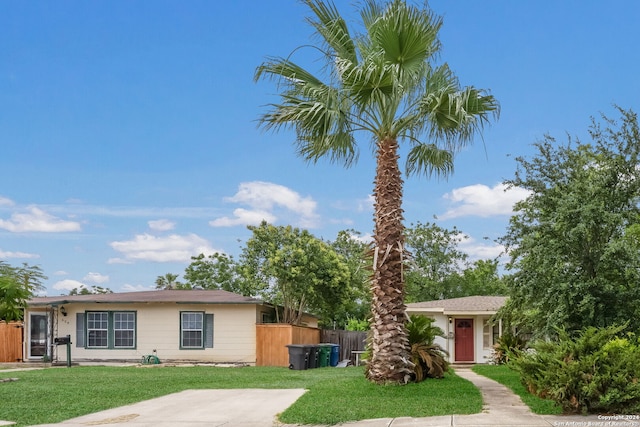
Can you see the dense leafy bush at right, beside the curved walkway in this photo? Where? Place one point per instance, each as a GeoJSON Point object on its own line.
{"type": "Point", "coordinates": [597, 372]}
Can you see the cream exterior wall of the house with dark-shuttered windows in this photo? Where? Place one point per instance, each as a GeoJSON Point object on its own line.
{"type": "Point", "coordinates": [158, 328]}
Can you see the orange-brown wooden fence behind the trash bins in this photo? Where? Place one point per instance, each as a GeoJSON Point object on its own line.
{"type": "Point", "coordinates": [272, 340]}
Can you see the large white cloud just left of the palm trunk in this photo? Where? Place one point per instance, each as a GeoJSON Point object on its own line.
{"type": "Point", "coordinates": [266, 201]}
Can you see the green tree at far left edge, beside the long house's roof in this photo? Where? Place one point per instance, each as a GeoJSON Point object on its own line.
{"type": "Point", "coordinates": [17, 286]}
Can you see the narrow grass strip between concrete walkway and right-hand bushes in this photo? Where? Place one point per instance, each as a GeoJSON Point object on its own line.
{"type": "Point", "coordinates": [510, 378]}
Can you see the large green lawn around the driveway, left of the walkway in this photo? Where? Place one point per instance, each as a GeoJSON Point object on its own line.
{"type": "Point", "coordinates": [335, 395]}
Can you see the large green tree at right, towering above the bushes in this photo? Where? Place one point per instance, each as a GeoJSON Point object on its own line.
{"type": "Point", "coordinates": [573, 242]}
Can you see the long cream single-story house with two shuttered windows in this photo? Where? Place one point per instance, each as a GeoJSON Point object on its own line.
{"type": "Point", "coordinates": [206, 326]}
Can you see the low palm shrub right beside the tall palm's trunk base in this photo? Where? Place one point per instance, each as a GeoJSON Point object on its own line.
{"type": "Point", "coordinates": [429, 359]}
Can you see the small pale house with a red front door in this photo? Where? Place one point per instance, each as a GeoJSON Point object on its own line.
{"type": "Point", "coordinates": [465, 321]}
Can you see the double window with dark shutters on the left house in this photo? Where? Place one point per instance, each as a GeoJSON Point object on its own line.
{"type": "Point", "coordinates": [109, 329]}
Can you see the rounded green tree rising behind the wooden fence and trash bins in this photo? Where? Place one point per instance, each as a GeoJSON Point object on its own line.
{"type": "Point", "coordinates": [293, 269]}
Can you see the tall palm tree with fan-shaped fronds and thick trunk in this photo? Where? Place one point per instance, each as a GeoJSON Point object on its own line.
{"type": "Point", "coordinates": [383, 82]}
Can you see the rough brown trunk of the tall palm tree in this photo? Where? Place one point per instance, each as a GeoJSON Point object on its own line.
{"type": "Point", "coordinates": [390, 361]}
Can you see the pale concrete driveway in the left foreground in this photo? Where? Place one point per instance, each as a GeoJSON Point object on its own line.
{"type": "Point", "coordinates": [190, 408]}
